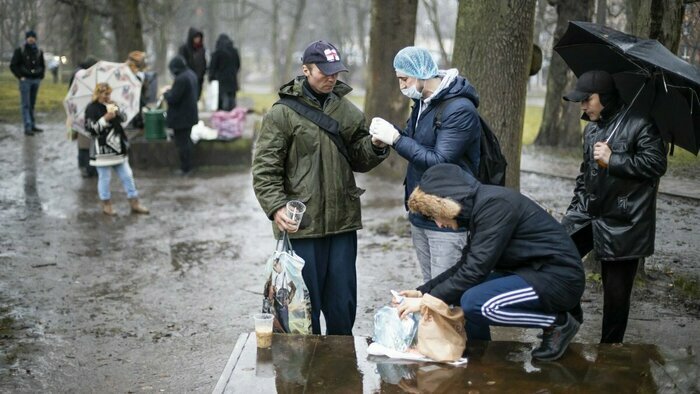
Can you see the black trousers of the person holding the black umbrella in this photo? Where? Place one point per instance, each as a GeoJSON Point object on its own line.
{"type": "Point", "coordinates": [618, 279]}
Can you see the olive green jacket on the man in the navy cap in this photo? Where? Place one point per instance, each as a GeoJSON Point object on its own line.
{"type": "Point", "coordinates": [294, 159]}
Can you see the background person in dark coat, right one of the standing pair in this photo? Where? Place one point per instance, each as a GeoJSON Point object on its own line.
{"type": "Point", "coordinates": [224, 67]}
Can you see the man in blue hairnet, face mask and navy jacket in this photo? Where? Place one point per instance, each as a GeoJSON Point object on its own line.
{"type": "Point", "coordinates": [427, 141]}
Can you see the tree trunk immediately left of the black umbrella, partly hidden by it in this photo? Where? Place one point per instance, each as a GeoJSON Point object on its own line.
{"type": "Point", "coordinates": [561, 126]}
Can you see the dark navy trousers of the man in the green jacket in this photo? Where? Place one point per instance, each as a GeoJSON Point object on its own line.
{"type": "Point", "coordinates": [329, 274]}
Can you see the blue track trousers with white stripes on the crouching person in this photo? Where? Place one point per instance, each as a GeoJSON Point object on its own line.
{"type": "Point", "coordinates": [502, 300]}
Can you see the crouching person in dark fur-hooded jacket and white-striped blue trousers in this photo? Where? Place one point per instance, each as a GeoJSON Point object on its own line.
{"type": "Point", "coordinates": [519, 268]}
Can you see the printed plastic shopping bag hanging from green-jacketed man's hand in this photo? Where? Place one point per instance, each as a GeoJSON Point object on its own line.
{"type": "Point", "coordinates": [285, 294]}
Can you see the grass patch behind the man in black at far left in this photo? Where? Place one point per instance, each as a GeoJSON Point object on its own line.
{"type": "Point", "coordinates": [49, 99]}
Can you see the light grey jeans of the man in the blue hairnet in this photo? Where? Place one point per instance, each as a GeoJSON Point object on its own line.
{"type": "Point", "coordinates": [437, 250]}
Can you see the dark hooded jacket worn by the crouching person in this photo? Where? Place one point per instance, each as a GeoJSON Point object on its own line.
{"type": "Point", "coordinates": [508, 233]}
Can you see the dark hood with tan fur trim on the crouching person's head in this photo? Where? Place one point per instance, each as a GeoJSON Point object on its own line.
{"type": "Point", "coordinates": [445, 191]}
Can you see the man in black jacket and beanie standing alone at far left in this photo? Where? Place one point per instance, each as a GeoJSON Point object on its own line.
{"type": "Point", "coordinates": [27, 65]}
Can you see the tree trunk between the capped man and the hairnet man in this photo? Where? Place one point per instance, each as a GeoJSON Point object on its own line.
{"type": "Point", "coordinates": [390, 32]}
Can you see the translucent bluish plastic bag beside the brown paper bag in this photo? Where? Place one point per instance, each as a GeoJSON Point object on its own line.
{"type": "Point", "coordinates": [392, 331]}
